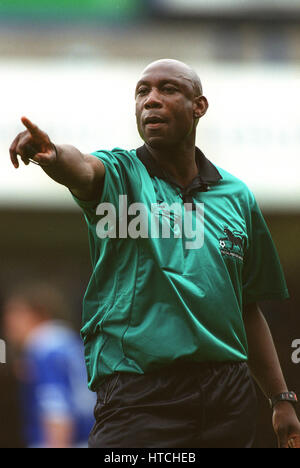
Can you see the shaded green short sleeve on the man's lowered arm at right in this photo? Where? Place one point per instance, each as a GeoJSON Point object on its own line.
{"type": "Point", "coordinates": [263, 277]}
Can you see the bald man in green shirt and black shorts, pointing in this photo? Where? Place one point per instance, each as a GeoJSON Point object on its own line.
{"type": "Point", "coordinates": [181, 255]}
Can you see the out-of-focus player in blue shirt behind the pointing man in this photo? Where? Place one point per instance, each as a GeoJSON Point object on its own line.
{"type": "Point", "coordinates": [57, 407]}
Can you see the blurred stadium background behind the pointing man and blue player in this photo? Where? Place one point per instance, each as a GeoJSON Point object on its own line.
{"type": "Point", "coordinates": [71, 67]}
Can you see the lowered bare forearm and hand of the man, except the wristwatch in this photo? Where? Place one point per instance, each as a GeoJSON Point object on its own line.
{"type": "Point", "coordinates": [266, 370]}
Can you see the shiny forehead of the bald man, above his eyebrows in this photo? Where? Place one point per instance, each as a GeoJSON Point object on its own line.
{"type": "Point", "coordinates": [167, 72]}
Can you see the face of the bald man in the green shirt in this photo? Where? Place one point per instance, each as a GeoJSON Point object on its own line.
{"type": "Point", "coordinates": [166, 105]}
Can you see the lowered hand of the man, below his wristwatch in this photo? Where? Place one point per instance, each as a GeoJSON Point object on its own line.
{"type": "Point", "coordinates": [286, 425]}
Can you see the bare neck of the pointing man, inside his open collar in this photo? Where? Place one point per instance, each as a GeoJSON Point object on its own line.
{"type": "Point", "coordinates": [179, 162]}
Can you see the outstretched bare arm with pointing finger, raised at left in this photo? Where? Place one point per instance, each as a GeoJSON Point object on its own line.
{"type": "Point", "coordinates": [83, 174]}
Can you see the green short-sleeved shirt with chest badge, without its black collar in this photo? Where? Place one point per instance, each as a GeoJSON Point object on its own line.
{"type": "Point", "coordinates": [153, 300]}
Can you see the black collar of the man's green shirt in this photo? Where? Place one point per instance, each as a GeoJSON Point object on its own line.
{"type": "Point", "coordinates": [208, 173]}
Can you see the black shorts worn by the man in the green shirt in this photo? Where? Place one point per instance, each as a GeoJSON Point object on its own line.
{"type": "Point", "coordinates": [194, 405]}
